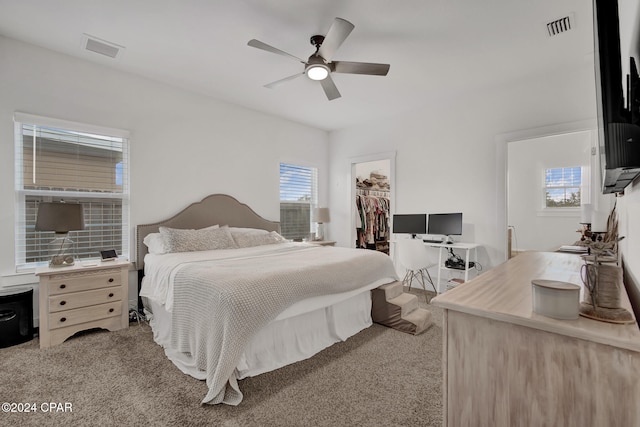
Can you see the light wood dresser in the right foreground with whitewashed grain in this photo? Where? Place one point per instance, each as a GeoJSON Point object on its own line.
{"type": "Point", "coordinates": [505, 365]}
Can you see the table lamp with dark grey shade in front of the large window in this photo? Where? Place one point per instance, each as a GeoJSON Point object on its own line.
{"type": "Point", "coordinates": [60, 218]}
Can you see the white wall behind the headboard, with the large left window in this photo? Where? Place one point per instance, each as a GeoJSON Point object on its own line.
{"type": "Point", "coordinates": [183, 146]}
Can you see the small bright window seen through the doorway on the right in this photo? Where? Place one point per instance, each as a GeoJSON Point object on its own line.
{"type": "Point", "coordinates": [563, 187]}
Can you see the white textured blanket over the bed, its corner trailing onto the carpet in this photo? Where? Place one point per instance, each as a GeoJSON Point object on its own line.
{"type": "Point", "coordinates": [240, 291]}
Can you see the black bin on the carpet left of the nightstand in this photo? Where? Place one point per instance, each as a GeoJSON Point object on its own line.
{"type": "Point", "coordinates": [16, 316]}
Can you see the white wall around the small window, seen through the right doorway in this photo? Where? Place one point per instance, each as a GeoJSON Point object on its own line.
{"type": "Point", "coordinates": [537, 228]}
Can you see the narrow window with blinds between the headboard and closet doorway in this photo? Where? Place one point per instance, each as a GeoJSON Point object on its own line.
{"type": "Point", "coordinates": [298, 198]}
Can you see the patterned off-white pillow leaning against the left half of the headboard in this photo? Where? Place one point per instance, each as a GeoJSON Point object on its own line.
{"type": "Point", "coordinates": [178, 240]}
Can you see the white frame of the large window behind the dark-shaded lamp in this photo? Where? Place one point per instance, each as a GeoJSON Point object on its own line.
{"type": "Point", "coordinates": [49, 194]}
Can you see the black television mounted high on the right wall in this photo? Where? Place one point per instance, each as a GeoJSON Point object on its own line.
{"type": "Point", "coordinates": [617, 56]}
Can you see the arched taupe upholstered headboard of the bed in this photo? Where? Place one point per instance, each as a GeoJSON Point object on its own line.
{"type": "Point", "coordinates": [214, 209]}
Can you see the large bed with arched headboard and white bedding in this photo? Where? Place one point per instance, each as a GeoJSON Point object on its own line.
{"type": "Point", "coordinates": [229, 298]}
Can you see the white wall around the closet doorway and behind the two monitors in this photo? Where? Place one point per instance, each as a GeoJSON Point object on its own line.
{"type": "Point", "coordinates": [446, 152]}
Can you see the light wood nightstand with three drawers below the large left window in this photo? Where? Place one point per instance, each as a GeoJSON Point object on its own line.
{"type": "Point", "coordinates": [81, 297]}
